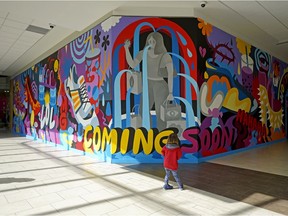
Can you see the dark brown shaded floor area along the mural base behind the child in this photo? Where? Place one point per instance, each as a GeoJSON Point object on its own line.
{"type": "Point", "coordinates": [260, 189]}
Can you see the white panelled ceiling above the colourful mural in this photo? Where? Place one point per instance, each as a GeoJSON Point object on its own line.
{"type": "Point", "coordinates": [263, 24]}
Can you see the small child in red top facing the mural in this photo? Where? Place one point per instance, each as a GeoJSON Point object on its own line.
{"type": "Point", "coordinates": [172, 153]}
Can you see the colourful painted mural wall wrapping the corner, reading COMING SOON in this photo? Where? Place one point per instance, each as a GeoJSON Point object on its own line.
{"type": "Point", "coordinates": [121, 88]}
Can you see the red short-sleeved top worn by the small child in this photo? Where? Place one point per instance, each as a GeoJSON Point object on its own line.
{"type": "Point", "coordinates": [172, 153]}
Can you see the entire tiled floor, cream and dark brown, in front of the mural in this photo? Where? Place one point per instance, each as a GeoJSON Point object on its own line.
{"type": "Point", "coordinates": [40, 179]}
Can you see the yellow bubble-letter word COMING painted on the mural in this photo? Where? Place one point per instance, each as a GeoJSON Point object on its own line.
{"type": "Point", "coordinates": [96, 139]}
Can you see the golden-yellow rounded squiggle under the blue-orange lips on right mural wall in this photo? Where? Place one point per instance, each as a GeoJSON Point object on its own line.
{"type": "Point", "coordinates": [232, 101]}
